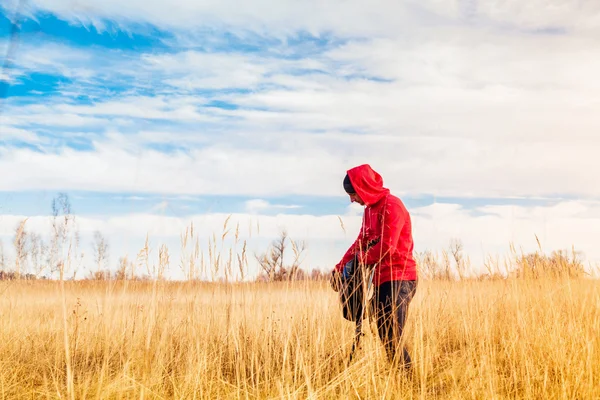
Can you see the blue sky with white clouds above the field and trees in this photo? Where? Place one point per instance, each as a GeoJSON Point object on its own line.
{"type": "Point", "coordinates": [482, 116]}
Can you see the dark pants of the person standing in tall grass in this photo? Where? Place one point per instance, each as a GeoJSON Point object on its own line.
{"type": "Point", "coordinates": [391, 308]}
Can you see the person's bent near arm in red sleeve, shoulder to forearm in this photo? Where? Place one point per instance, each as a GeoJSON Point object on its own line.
{"type": "Point", "coordinates": [393, 221]}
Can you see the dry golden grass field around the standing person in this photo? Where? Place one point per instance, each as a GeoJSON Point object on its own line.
{"type": "Point", "coordinates": [482, 340]}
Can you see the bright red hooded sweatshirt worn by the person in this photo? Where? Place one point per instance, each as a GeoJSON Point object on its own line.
{"type": "Point", "coordinates": [385, 218]}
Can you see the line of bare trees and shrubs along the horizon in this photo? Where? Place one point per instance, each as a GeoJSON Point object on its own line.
{"type": "Point", "coordinates": [61, 257]}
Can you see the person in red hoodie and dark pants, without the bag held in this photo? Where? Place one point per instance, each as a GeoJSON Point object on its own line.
{"type": "Point", "coordinates": [384, 243]}
